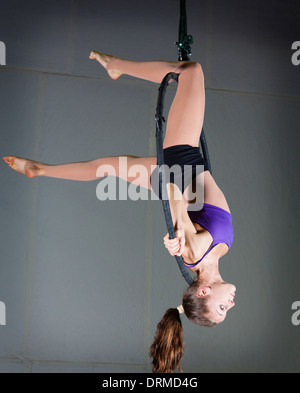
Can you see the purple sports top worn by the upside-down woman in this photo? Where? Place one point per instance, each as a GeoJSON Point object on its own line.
{"type": "Point", "coordinates": [218, 222]}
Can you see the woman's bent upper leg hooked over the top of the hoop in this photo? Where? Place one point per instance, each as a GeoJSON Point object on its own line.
{"type": "Point", "coordinates": [186, 114]}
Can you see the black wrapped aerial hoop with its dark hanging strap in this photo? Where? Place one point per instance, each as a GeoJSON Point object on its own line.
{"type": "Point", "coordinates": [184, 50]}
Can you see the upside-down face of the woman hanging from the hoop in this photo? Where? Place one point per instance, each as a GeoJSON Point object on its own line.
{"type": "Point", "coordinates": [220, 299]}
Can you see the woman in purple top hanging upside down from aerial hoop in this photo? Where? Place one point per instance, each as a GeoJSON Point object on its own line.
{"type": "Point", "coordinates": [203, 236]}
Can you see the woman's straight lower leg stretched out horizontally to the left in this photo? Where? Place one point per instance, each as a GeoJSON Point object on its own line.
{"type": "Point", "coordinates": [130, 168]}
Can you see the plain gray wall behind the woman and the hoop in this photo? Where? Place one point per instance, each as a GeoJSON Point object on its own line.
{"type": "Point", "coordinates": [85, 282]}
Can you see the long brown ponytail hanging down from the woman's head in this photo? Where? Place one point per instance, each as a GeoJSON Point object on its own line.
{"type": "Point", "coordinates": [167, 347]}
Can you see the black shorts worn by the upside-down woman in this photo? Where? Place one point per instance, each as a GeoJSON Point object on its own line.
{"type": "Point", "coordinates": [184, 162]}
